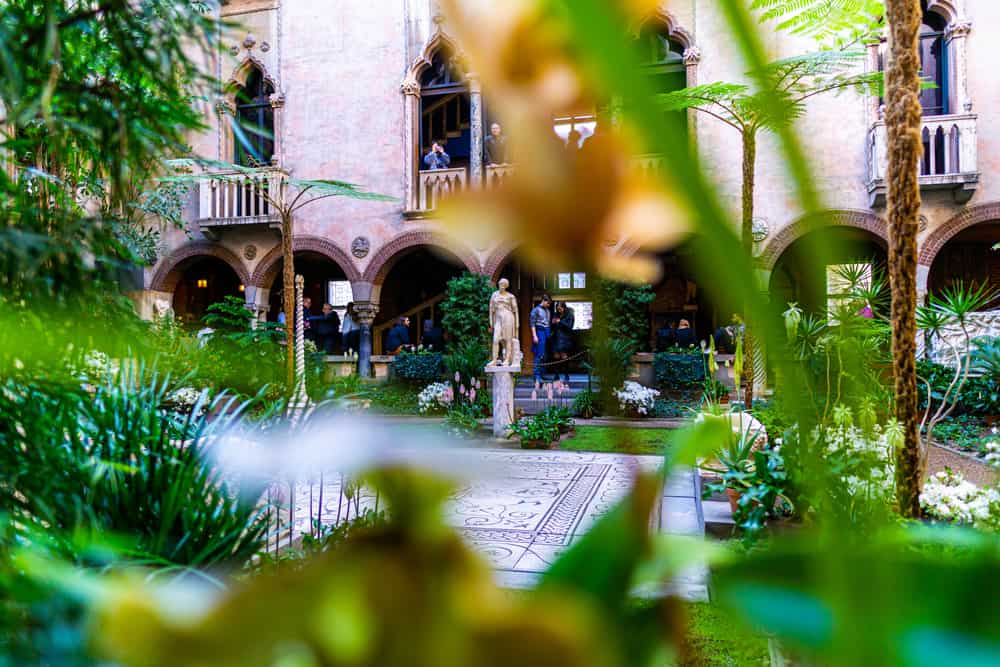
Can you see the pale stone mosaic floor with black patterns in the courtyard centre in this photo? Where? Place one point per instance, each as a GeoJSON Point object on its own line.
{"type": "Point", "coordinates": [526, 507]}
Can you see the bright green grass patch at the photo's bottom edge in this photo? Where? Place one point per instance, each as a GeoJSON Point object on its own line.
{"type": "Point", "coordinates": [717, 639]}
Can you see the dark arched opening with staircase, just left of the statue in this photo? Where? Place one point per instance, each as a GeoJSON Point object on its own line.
{"type": "Point", "coordinates": [414, 287]}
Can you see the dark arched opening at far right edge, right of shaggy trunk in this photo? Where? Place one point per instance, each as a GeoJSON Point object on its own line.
{"type": "Point", "coordinates": [968, 257]}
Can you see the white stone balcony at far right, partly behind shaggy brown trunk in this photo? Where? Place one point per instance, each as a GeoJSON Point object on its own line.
{"type": "Point", "coordinates": [950, 159]}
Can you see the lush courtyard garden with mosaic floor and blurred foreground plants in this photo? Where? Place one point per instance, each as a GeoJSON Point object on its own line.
{"type": "Point", "coordinates": [229, 494]}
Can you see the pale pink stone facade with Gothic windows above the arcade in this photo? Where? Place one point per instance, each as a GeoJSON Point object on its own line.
{"type": "Point", "coordinates": [345, 77]}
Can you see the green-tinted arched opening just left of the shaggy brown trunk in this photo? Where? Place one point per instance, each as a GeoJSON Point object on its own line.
{"type": "Point", "coordinates": [798, 277]}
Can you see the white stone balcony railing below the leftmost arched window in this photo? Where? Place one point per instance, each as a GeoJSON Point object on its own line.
{"type": "Point", "coordinates": [239, 198]}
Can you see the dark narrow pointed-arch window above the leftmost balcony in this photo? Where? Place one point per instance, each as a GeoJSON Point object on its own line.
{"type": "Point", "coordinates": [253, 144]}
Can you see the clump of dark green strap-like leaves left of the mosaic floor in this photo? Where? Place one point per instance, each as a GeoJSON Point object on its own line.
{"type": "Point", "coordinates": [113, 465]}
